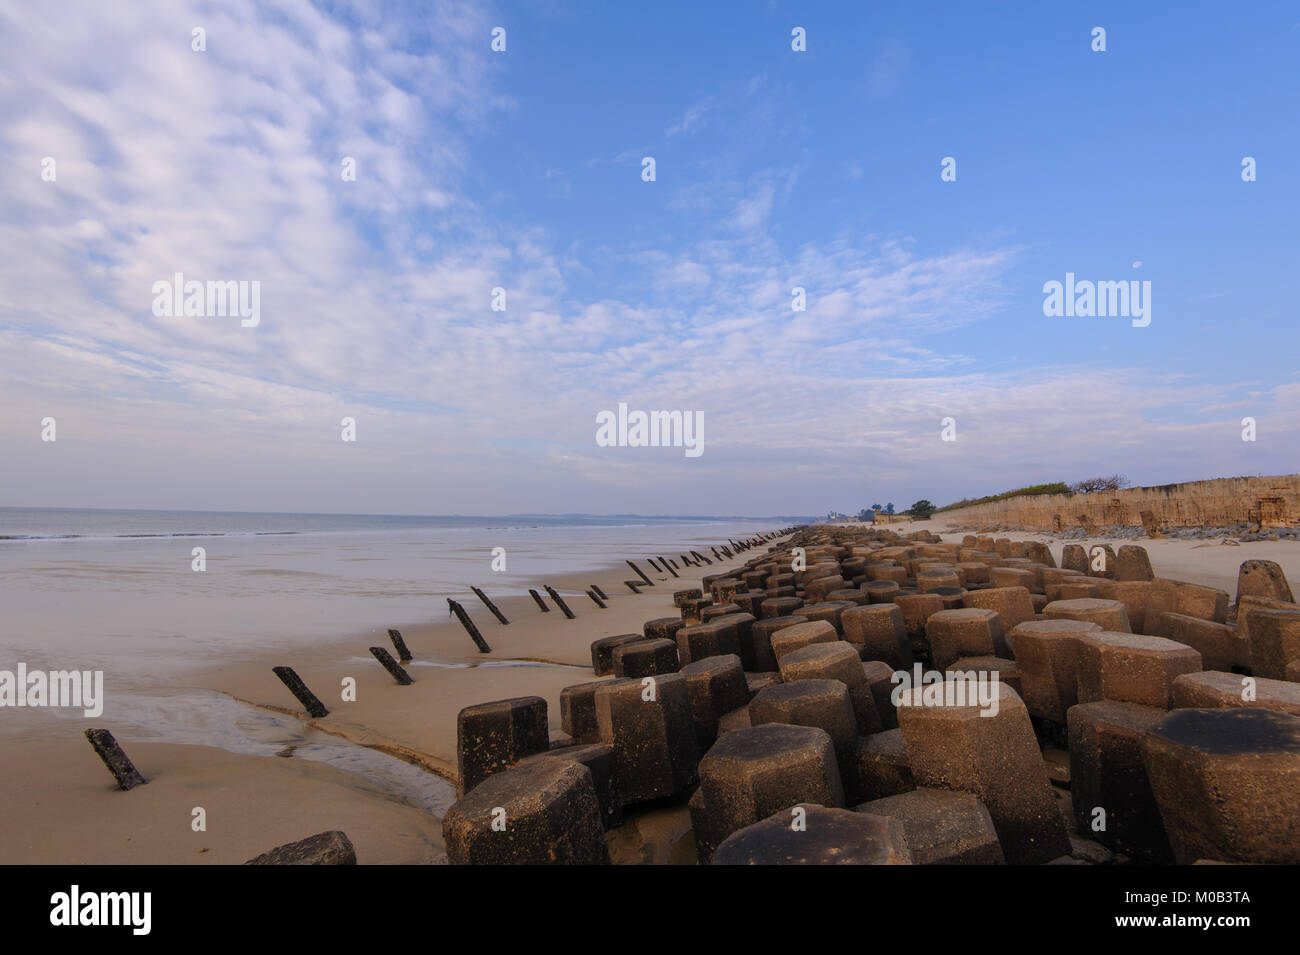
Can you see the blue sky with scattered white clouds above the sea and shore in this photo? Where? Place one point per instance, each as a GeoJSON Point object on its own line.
{"type": "Point", "coordinates": [523, 170]}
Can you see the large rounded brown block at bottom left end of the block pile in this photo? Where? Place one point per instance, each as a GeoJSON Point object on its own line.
{"type": "Point", "coordinates": [541, 814]}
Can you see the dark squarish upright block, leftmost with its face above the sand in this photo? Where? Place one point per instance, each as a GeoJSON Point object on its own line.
{"type": "Point", "coordinates": [495, 736]}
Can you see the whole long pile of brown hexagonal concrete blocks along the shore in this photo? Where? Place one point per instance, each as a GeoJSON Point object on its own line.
{"type": "Point", "coordinates": [852, 696]}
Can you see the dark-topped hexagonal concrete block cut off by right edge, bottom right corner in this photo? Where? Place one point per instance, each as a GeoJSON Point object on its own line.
{"type": "Point", "coordinates": [1228, 784]}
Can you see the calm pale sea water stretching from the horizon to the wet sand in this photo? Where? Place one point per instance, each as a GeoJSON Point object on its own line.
{"type": "Point", "coordinates": [116, 591]}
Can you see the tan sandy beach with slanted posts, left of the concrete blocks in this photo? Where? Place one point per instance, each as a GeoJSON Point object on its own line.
{"type": "Point", "coordinates": [64, 808]}
